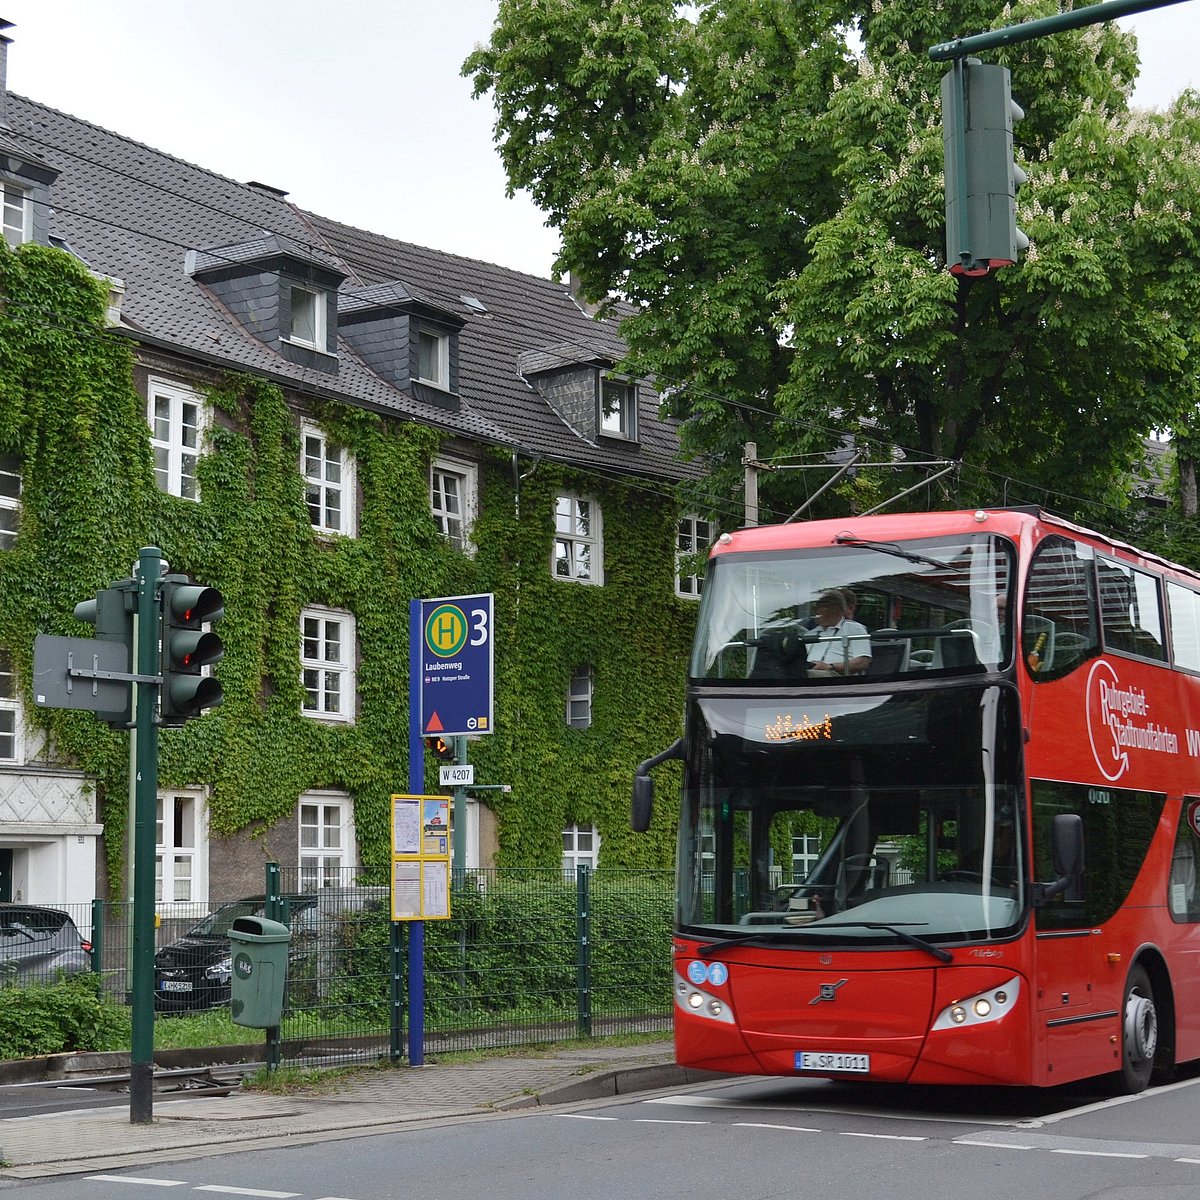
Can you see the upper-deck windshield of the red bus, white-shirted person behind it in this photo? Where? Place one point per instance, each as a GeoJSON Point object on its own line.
{"type": "Point", "coordinates": [857, 610]}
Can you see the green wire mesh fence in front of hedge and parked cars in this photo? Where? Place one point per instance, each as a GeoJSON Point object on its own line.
{"type": "Point", "coordinates": [526, 957]}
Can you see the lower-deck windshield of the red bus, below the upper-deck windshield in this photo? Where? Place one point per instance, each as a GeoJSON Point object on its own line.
{"type": "Point", "coordinates": [862, 819]}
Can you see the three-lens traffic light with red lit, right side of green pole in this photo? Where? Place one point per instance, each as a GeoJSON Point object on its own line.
{"type": "Point", "coordinates": [188, 649]}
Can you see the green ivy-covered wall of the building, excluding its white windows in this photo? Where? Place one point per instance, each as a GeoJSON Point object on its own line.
{"type": "Point", "coordinates": [74, 425]}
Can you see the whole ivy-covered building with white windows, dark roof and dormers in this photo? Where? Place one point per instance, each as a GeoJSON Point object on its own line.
{"type": "Point", "coordinates": [325, 424]}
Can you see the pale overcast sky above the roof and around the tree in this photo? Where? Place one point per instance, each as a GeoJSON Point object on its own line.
{"type": "Point", "coordinates": [357, 109]}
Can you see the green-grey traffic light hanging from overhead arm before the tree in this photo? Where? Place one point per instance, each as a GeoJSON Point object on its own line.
{"type": "Point", "coordinates": [982, 179]}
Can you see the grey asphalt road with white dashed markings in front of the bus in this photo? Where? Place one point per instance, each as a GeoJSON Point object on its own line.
{"type": "Point", "coordinates": [739, 1141]}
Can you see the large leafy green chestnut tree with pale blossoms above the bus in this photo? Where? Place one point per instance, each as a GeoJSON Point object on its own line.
{"type": "Point", "coordinates": [763, 179]}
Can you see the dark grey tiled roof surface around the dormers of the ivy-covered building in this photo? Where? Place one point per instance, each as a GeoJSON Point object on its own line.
{"type": "Point", "coordinates": [135, 214]}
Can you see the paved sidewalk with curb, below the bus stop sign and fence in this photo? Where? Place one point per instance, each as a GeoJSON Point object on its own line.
{"type": "Point", "coordinates": [373, 1103]}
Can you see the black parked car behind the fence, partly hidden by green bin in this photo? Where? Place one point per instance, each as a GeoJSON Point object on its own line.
{"type": "Point", "coordinates": [194, 971]}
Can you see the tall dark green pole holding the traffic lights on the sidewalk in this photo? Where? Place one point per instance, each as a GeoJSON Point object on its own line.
{"type": "Point", "coordinates": [146, 794]}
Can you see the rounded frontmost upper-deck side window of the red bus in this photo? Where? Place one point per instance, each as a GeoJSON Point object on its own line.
{"type": "Point", "coordinates": [1059, 621]}
